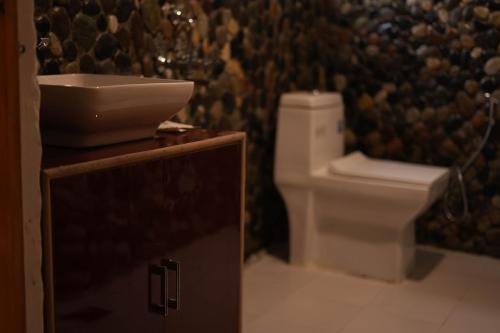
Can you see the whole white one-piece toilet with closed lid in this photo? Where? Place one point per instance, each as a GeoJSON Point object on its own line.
{"type": "Point", "coordinates": [350, 213]}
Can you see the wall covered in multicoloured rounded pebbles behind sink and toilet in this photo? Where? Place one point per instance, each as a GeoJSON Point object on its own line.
{"type": "Point", "coordinates": [413, 75]}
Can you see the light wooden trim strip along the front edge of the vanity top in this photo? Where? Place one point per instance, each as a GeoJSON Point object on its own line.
{"type": "Point", "coordinates": [132, 158]}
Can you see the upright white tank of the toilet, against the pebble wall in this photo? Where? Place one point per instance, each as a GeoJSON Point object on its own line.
{"type": "Point", "coordinates": [310, 133]}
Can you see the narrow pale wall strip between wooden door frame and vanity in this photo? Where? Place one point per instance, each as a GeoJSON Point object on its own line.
{"type": "Point", "coordinates": [30, 161]}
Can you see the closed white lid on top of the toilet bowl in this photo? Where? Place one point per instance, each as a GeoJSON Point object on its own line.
{"type": "Point", "coordinates": [358, 165]}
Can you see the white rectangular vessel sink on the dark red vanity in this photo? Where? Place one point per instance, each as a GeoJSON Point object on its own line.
{"type": "Point", "coordinates": [85, 110]}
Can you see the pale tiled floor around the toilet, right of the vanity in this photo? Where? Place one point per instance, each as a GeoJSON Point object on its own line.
{"type": "Point", "coordinates": [449, 292]}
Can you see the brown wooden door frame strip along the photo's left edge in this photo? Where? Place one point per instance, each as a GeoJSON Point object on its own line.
{"type": "Point", "coordinates": [12, 287]}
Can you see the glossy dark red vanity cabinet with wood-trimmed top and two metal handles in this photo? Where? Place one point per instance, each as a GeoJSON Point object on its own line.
{"type": "Point", "coordinates": [145, 236]}
